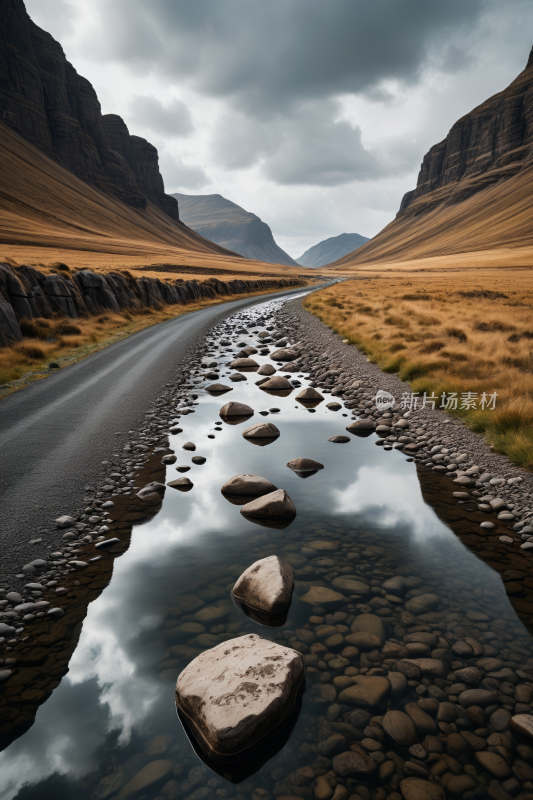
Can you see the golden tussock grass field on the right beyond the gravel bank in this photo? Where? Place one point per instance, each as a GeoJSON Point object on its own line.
{"type": "Point", "coordinates": [453, 333]}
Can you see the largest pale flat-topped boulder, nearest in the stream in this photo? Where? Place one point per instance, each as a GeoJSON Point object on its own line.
{"type": "Point", "coordinates": [234, 695]}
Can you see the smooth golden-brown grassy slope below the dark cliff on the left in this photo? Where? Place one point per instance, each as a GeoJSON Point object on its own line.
{"type": "Point", "coordinates": [47, 214]}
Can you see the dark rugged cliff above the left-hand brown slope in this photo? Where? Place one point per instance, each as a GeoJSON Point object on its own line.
{"type": "Point", "coordinates": [43, 98]}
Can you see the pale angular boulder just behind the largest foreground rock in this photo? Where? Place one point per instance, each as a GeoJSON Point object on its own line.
{"type": "Point", "coordinates": [266, 586]}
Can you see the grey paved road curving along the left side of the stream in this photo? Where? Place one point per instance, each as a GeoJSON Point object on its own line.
{"type": "Point", "coordinates": [55, 433]}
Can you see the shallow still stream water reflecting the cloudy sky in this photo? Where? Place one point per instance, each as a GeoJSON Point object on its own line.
{"type": "Point", "coordinates": [114, 712]}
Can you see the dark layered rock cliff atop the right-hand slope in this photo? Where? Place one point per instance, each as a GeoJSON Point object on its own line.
{"type": "Point", "coordinates": [488, 145]}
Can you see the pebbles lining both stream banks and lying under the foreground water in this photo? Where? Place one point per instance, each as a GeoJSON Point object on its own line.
{"type": "Point", "coordinates": [413, 677]}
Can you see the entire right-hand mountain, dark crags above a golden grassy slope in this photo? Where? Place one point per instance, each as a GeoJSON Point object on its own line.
{"type": "Point", "coordinates": [474, 194]}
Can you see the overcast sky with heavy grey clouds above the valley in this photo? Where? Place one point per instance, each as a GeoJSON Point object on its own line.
{"type": "Point", "coordinates": [313, 114]}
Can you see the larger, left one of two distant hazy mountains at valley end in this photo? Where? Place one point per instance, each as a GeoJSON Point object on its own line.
{"type": "Point", "coordinates": [227, 224]}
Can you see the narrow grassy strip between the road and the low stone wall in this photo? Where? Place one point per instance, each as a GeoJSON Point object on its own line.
{"type": "Point", "coordinates": [64, 341]}
